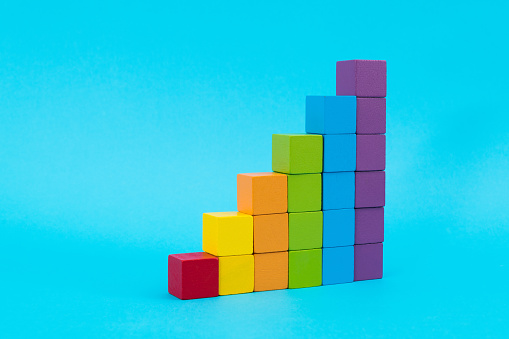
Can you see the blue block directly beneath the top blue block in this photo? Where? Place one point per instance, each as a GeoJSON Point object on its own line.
{"type": "Point", "coordinates": [339, 152]}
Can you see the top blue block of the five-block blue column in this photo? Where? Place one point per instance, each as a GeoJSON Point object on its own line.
{"type": "Point", "coordinates": [331, 114]}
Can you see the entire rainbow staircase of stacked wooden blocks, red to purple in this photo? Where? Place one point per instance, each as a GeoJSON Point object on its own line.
{"type": "Point", "coordinates": [318, 218]}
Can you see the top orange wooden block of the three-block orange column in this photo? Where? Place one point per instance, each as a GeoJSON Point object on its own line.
{"type": "Point", "coordinates": [262, 193]}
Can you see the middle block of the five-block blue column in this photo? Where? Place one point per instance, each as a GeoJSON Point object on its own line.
{"type": "Point", "coordinates": [338, 190]}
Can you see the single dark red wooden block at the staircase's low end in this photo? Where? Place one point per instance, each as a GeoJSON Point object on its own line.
{"type": "Point", "coordinates": [193, 275]}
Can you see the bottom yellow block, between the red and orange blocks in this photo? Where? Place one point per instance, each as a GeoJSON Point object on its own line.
{"type": "Point", "coordinates": [236, 274]}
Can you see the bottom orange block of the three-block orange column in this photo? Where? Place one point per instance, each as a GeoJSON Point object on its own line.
{"type": "Point", "coordinates": [271, 271]}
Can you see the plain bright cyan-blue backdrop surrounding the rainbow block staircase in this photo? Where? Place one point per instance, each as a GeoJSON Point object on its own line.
{"type": "Point", "coordinates": [122, 122]}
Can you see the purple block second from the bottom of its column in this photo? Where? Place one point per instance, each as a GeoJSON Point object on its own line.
{"type": "Point", "coordinates": [369, 225]}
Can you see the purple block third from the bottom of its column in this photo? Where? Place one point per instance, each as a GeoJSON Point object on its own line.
{"type": "Point", "coordinates": [369, 189]}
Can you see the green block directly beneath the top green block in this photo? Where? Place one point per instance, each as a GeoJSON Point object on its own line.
{"type": "Point", "coordinates": [304, 192]}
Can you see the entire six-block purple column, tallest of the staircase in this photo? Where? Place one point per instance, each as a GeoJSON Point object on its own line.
{"type": "Point", "coordinates": [367, 81]}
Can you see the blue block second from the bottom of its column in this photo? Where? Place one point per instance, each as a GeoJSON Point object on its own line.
{"type": "Point", "coordinates": [339, 227]}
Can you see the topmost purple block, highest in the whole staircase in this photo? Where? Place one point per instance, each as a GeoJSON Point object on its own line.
{"type": "Point", "coordinates": [362, 78]}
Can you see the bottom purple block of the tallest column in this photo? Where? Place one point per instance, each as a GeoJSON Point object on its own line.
{"type": "Point", "coordinates": [368, 261]}
